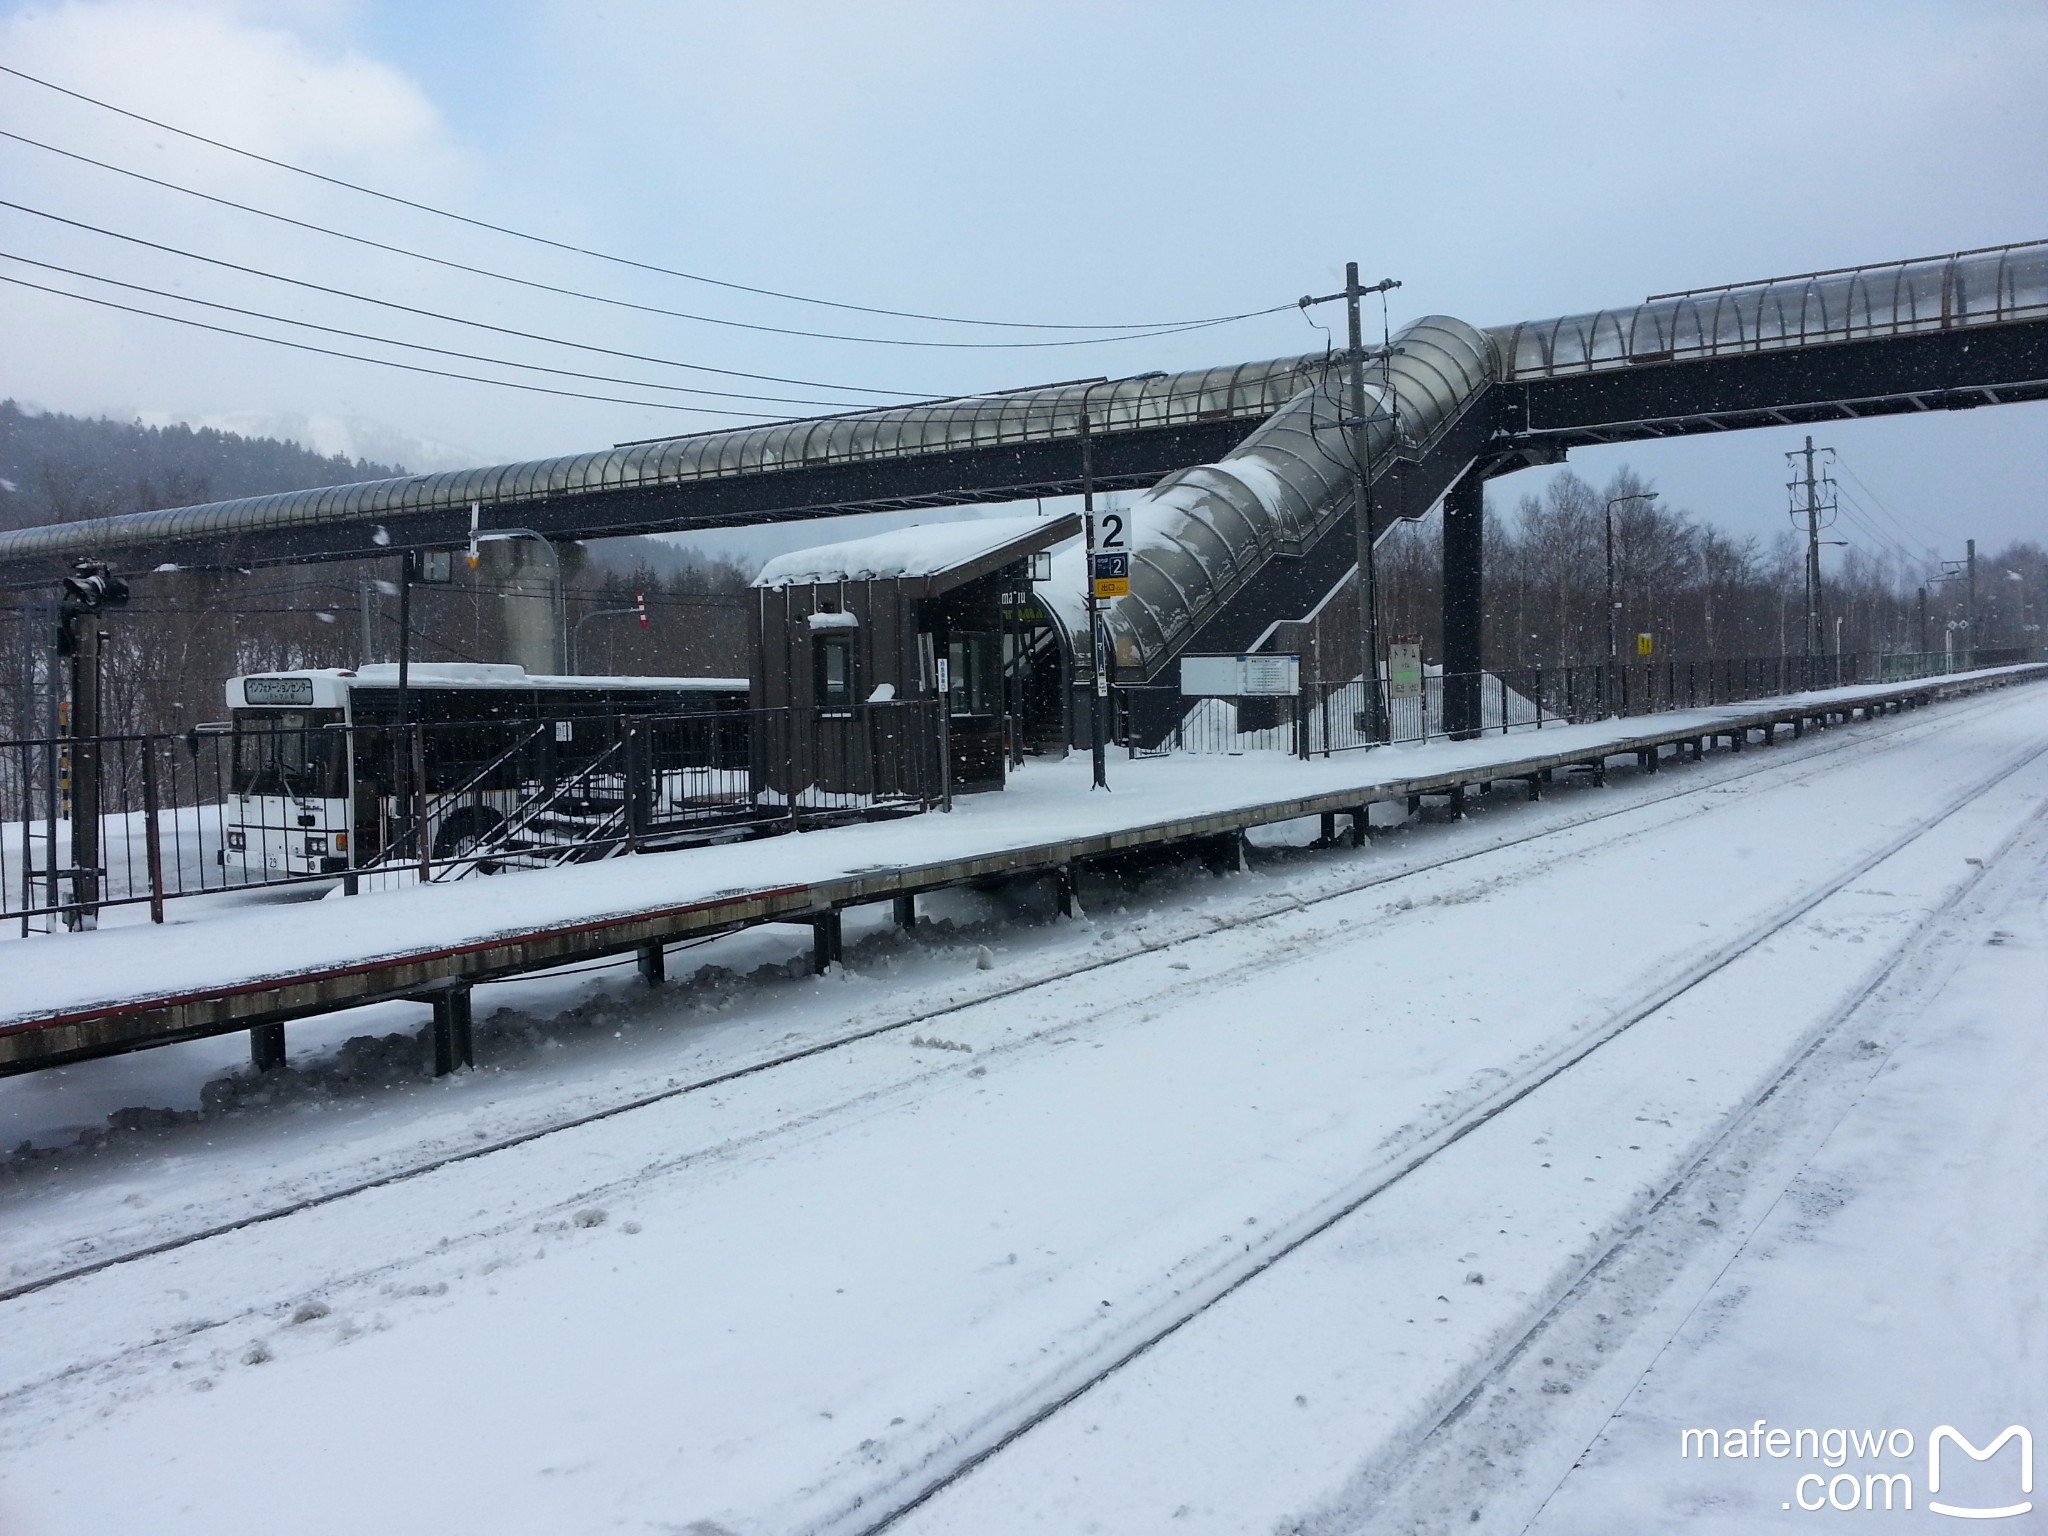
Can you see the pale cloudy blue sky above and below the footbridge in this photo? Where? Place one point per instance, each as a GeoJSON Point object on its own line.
{"type": "Point", "coordinates": [1035, 163]}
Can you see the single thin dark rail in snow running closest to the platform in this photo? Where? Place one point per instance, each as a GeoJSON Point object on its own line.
{"type": "Point", "coordinates": [1887, 736]}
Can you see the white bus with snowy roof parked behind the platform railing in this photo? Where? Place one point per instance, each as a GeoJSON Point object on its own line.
{"type": "Point", "coordinates": [511, 759]}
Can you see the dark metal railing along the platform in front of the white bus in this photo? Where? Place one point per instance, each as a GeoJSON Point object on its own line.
{"type": "Point", "coordinates": [140, 820]}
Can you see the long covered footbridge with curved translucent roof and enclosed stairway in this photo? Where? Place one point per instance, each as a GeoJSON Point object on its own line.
{"type": "Point", "coordinates": [1248, 493]}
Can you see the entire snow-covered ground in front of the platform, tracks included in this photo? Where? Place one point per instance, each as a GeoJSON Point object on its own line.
{"type": "Point", "coordinates": [1365, 1191]}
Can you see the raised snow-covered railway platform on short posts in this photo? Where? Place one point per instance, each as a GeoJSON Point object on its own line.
{"type": "Point", "coordinates": [79, 996]}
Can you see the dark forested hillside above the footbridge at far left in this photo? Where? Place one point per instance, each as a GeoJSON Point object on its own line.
{"type": "Point", "coordinates": [65, 468]}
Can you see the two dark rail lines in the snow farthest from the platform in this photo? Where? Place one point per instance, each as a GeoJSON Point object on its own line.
{"type": "Point", "coordinates": [863, 1519]}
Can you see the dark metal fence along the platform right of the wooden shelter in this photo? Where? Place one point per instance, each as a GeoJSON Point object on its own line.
{"type": "Point", "coordinates": [1332, 718]}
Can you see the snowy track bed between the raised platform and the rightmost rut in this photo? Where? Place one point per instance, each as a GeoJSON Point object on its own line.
{"type": "Point", "coordinates": [794, 1308]}
